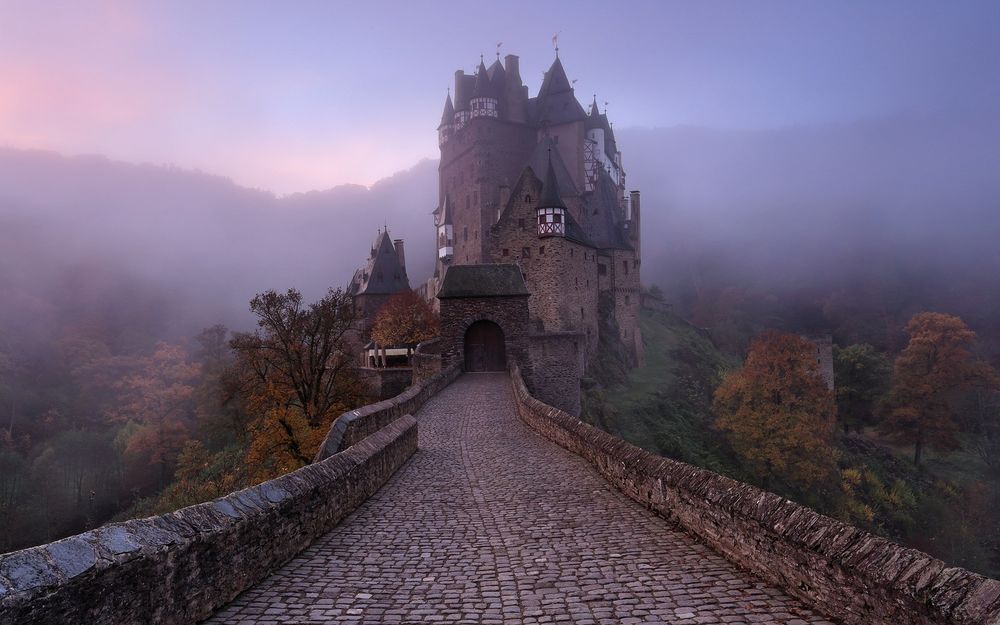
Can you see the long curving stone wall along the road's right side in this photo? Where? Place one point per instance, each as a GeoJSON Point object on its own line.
{"type": "Point", "coordinates": [845, 572]}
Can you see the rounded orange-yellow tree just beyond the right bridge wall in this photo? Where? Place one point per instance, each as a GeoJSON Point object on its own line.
{"type": "Point", "coordinates": [777, 412]}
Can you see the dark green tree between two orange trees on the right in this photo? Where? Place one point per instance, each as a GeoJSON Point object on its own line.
{"type": "Point", "coordinates": [863, 377]}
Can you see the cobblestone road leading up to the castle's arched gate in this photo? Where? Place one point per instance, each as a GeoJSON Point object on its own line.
{"type": "Point", "coordinates": [489, 523]}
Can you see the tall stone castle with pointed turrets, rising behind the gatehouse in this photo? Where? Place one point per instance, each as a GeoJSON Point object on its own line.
{"type": "Point", "coordinates": [538, 182]}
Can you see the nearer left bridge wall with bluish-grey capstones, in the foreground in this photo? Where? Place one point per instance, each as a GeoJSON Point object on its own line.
{"type": "Point", "coordinates": [180, 567]}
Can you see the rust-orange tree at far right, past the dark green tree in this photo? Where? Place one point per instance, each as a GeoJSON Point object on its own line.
{"type": "Point", "coordinates": [929, 375]}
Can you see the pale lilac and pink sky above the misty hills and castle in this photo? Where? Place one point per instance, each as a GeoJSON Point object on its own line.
{"type": "Point", "coordinates": [306, 95]}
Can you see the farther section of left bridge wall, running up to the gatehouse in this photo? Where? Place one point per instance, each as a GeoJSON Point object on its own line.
{"type": "Point", "coordinates": [356, 425]}
